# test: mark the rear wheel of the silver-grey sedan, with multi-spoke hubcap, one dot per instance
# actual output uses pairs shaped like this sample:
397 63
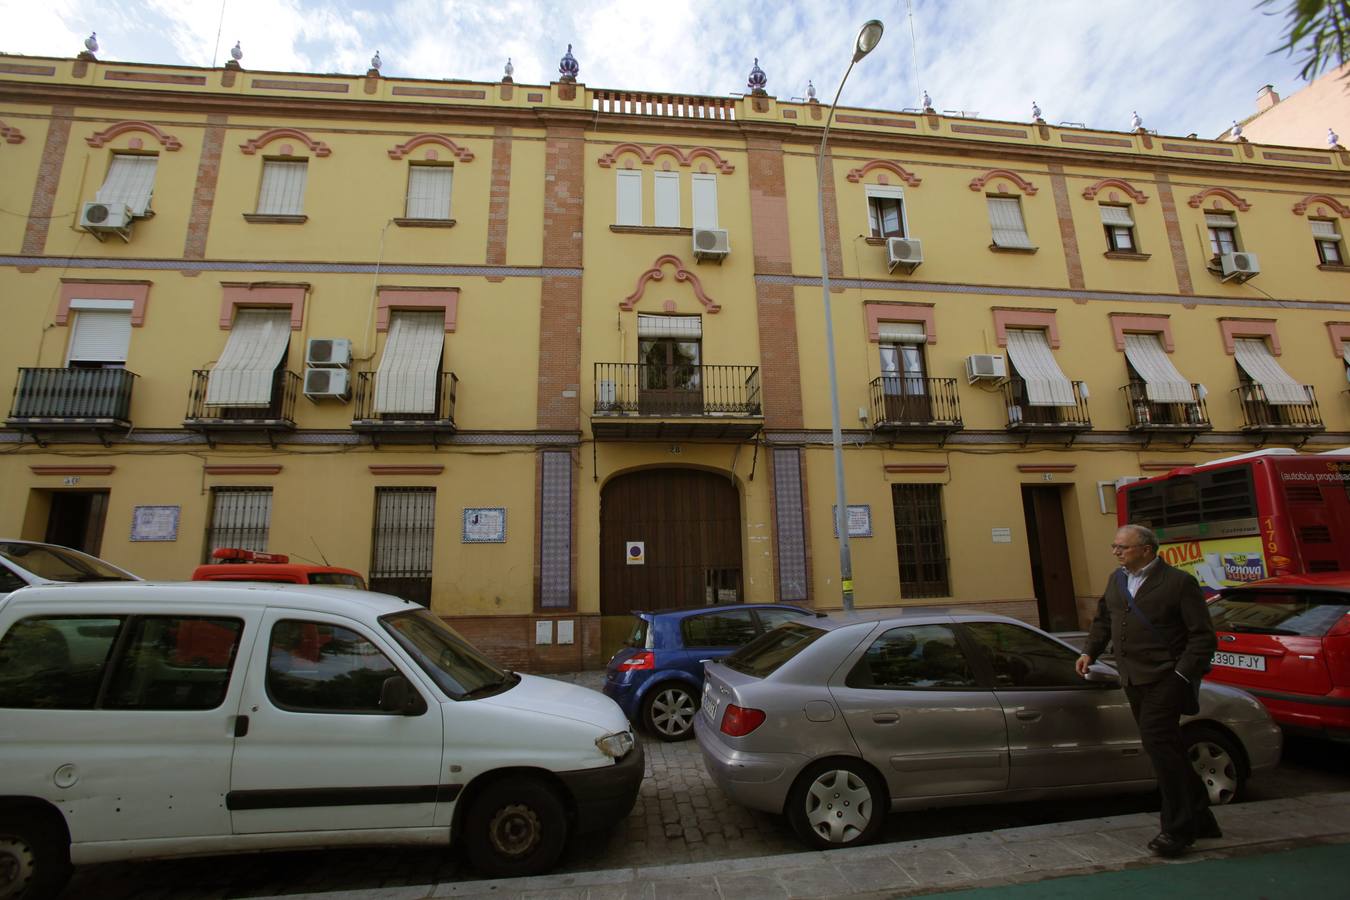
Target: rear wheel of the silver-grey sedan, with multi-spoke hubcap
838 805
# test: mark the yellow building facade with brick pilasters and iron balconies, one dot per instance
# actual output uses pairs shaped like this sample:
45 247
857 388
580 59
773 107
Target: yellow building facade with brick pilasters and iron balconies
541 356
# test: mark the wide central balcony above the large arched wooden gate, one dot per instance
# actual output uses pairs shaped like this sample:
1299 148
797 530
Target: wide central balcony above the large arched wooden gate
641 401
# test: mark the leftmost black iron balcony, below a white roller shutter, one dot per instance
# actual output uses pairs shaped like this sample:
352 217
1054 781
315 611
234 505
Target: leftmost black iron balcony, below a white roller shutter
72 400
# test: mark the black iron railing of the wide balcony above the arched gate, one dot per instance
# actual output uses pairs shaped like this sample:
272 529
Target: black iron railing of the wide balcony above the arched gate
642 389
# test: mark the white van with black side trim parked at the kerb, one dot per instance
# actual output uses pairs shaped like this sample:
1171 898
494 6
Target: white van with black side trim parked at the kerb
145 720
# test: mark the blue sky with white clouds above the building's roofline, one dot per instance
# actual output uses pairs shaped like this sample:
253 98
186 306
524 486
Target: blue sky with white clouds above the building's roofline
1183 65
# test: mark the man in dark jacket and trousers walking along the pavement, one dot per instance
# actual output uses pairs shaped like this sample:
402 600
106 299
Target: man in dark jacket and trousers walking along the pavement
1156 619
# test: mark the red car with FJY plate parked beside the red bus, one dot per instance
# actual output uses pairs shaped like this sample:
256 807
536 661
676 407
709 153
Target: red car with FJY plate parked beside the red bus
1287 642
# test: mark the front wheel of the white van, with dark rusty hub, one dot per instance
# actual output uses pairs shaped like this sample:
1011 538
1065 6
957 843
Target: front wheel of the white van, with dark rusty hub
516 828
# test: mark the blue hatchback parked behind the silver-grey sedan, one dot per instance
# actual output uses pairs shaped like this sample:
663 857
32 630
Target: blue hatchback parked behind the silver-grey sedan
658 677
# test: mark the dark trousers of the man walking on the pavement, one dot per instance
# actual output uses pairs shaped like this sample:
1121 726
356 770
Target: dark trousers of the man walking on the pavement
1158 710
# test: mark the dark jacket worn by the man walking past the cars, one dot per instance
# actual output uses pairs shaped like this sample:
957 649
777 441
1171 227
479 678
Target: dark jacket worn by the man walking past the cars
1182 639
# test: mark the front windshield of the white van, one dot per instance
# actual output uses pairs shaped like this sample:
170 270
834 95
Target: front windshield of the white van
456 665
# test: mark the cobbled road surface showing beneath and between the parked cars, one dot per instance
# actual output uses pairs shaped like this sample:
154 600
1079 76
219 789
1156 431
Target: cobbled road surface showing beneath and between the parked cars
680 818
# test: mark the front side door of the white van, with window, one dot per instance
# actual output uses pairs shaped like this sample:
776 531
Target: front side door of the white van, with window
318 754
